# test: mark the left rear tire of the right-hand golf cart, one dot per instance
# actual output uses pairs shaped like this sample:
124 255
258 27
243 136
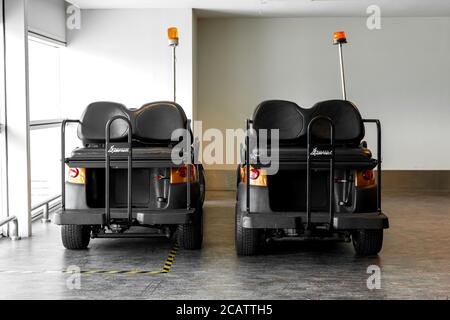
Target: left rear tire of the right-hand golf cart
246 239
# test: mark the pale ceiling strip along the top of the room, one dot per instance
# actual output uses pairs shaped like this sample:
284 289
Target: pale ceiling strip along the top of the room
283 8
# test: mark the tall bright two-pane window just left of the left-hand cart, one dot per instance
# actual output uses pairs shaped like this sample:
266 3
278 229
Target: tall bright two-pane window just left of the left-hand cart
45 107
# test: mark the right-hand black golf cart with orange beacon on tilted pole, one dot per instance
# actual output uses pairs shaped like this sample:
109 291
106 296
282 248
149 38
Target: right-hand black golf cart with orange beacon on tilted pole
325 187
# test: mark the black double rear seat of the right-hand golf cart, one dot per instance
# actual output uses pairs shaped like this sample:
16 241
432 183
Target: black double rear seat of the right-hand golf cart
292 122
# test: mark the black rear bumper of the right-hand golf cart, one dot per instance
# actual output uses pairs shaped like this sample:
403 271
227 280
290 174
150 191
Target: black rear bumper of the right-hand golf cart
296 220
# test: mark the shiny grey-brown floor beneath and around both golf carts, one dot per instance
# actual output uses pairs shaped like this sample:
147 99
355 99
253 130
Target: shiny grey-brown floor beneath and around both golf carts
414 262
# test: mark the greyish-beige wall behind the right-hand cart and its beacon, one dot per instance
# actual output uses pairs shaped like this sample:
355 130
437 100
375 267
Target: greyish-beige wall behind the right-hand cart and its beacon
399 74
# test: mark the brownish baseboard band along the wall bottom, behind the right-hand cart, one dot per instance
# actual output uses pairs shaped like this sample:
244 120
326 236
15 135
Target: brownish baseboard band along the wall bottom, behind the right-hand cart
401 180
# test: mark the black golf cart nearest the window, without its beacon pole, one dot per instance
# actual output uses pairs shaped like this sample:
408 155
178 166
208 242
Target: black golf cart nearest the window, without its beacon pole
125 176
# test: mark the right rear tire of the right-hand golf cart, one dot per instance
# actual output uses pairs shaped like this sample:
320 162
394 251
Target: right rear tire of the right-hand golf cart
367 242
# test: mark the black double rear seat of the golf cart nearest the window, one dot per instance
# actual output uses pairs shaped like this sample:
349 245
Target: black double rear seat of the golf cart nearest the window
152 128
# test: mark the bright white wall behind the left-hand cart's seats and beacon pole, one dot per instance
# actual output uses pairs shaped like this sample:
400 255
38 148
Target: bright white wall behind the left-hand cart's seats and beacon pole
122 55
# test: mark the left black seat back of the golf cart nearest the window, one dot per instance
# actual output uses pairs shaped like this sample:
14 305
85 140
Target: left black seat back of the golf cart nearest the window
94 119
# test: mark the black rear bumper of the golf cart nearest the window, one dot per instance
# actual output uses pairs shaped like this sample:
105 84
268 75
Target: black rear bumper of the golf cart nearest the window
140 217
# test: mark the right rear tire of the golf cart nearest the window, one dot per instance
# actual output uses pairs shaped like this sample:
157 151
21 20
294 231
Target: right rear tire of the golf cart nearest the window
190 236
